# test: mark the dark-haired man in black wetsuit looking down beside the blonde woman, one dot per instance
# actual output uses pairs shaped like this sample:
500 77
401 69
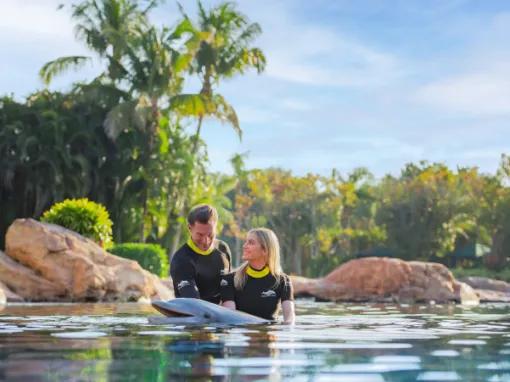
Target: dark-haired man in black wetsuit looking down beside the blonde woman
197 266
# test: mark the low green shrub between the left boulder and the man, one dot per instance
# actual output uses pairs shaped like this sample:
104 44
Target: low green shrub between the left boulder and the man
151 257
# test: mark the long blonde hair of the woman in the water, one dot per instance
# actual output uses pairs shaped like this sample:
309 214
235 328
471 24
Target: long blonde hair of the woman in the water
269 242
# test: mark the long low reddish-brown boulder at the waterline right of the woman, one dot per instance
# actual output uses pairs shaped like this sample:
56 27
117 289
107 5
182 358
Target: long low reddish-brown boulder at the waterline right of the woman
387 280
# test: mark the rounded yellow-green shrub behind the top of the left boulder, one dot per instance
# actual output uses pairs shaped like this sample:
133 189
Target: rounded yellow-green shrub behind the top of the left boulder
88 218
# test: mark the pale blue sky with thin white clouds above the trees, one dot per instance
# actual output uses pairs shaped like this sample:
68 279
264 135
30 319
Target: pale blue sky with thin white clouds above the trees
366 83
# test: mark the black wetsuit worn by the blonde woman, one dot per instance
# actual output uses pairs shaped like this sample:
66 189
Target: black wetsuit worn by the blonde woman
259 297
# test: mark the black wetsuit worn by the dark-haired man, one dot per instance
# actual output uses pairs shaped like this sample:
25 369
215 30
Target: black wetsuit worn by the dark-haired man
198 276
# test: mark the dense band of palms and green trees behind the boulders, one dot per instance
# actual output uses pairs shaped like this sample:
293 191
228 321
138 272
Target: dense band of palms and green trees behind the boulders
123 140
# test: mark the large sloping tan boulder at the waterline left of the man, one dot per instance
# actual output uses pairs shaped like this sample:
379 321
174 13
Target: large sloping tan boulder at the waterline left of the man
46 262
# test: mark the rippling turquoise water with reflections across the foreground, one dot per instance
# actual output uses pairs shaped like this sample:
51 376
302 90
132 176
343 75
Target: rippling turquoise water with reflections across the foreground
330 342
